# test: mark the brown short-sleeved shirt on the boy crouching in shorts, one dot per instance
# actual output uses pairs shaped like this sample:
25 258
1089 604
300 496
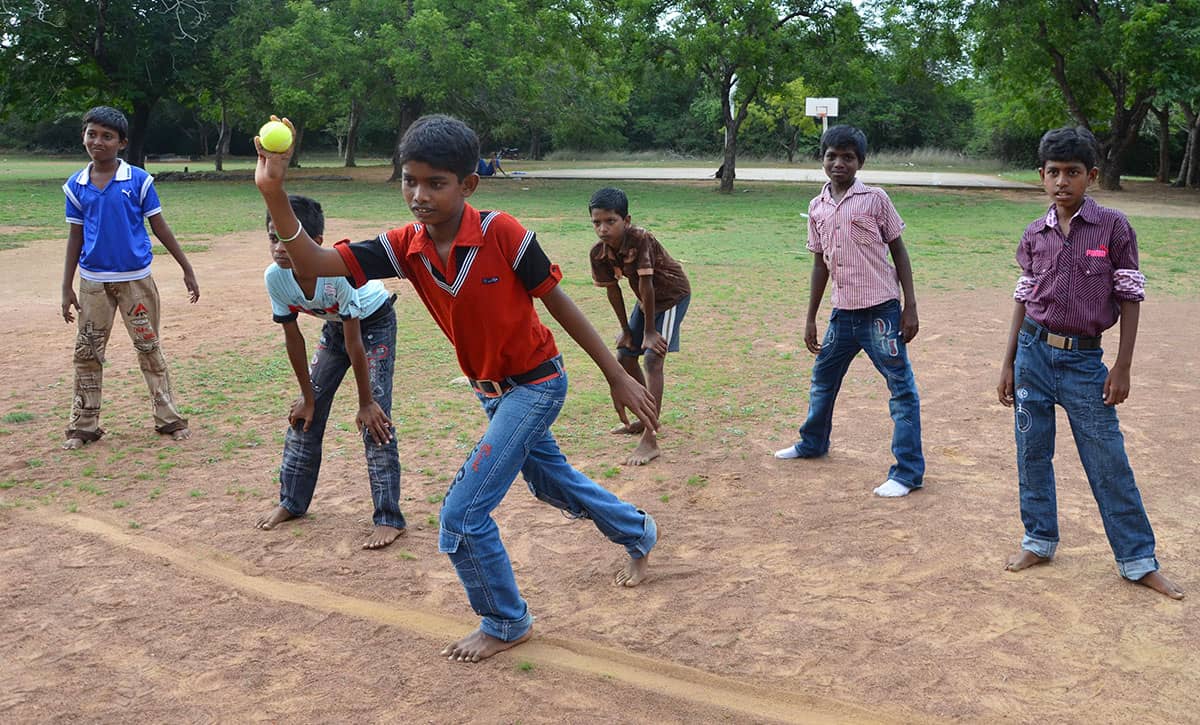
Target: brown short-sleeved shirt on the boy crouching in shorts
641 255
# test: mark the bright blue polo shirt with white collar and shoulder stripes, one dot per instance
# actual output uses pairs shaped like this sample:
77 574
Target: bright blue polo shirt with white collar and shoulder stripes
116 242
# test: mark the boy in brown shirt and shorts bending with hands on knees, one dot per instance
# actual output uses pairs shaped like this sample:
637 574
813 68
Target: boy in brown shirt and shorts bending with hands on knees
663 295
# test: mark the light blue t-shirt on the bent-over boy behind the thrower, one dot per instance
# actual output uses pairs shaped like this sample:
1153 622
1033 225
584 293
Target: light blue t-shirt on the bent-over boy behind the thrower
334 298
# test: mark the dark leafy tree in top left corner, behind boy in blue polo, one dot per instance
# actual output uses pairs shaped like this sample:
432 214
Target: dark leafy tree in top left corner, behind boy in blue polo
129 53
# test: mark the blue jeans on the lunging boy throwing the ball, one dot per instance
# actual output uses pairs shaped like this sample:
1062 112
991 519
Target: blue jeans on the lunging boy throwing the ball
519 441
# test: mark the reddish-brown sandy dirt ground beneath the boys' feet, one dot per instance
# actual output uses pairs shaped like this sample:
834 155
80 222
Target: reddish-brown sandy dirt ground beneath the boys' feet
781 591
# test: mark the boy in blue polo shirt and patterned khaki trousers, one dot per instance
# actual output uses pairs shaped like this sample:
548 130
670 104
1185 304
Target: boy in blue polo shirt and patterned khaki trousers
107 207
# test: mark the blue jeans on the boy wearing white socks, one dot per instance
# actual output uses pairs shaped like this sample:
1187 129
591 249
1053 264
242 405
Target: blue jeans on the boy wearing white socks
875 331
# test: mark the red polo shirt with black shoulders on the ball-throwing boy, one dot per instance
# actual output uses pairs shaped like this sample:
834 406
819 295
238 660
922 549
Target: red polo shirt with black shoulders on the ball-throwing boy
484 301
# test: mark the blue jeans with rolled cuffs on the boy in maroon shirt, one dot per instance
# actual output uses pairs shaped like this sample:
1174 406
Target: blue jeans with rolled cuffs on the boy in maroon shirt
1075 380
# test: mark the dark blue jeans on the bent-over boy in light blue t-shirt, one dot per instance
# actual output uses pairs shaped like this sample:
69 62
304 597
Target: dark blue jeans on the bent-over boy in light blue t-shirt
302 451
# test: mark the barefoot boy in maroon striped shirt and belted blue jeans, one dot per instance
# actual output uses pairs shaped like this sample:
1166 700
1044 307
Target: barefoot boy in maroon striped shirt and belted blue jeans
1079 275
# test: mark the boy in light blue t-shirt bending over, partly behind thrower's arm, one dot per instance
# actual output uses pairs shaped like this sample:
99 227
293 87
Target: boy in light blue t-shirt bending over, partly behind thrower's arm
359 333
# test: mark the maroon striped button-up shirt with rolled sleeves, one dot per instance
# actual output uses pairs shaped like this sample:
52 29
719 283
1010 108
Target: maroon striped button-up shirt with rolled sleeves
1075 285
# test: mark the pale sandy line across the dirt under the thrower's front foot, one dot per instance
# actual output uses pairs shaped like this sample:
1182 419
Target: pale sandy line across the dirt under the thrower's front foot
647 674
